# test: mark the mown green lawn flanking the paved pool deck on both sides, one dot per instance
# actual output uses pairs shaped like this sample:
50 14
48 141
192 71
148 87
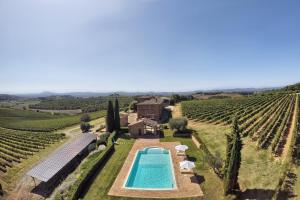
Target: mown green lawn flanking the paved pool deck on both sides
106 177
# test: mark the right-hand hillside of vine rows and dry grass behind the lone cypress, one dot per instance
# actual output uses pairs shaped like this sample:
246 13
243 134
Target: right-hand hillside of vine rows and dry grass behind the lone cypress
270 138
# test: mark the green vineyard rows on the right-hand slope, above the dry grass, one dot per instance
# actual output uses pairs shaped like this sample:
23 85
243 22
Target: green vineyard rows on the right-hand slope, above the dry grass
265 119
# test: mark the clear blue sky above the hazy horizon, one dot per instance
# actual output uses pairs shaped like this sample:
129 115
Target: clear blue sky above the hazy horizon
147 45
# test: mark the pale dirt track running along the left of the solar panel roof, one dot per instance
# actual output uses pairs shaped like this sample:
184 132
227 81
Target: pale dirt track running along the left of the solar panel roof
25 184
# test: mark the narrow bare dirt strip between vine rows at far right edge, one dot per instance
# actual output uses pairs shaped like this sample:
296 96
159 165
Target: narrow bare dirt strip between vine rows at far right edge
287 145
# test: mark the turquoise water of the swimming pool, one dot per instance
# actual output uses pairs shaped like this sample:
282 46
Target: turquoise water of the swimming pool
152 169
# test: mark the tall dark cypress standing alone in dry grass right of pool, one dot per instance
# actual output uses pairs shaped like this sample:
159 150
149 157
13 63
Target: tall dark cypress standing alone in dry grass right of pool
233 159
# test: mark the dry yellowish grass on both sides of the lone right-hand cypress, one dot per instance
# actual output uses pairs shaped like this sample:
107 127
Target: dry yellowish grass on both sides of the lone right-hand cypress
259 172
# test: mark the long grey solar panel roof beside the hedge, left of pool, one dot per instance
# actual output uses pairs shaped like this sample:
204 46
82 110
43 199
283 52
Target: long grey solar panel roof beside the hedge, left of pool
55 162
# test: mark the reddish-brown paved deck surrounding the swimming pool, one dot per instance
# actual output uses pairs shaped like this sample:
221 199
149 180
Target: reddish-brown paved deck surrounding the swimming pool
187 184
